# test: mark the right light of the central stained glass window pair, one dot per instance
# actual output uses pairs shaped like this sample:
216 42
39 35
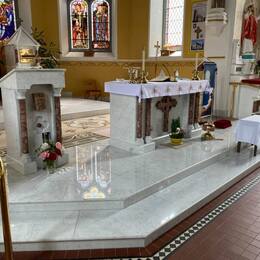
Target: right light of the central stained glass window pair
100 12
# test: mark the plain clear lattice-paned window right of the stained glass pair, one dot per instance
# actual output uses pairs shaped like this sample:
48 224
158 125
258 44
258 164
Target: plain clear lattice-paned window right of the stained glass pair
173 22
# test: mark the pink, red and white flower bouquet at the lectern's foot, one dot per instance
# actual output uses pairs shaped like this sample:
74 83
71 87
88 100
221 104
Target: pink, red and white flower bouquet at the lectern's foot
49 153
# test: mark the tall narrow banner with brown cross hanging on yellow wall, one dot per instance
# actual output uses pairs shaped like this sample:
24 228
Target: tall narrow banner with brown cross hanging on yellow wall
199 12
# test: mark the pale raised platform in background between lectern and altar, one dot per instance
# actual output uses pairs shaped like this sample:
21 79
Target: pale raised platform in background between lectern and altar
74 108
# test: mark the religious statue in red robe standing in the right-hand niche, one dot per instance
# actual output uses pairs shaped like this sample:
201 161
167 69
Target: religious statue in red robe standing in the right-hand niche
249 33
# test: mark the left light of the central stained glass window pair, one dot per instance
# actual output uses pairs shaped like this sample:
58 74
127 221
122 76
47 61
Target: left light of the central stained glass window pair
79 24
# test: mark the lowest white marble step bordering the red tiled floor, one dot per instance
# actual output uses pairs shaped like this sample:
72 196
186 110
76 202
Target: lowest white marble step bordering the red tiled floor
137 225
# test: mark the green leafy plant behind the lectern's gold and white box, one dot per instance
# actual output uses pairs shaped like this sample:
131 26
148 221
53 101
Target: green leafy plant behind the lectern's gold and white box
48 52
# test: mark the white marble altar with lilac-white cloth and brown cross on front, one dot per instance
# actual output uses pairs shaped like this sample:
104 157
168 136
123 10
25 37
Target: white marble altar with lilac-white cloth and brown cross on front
142 113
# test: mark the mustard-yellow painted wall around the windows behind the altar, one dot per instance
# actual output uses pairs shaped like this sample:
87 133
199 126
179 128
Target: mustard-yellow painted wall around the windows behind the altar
132 34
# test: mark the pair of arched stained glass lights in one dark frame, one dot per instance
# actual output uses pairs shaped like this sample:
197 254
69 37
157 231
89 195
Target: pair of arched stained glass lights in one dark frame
89 25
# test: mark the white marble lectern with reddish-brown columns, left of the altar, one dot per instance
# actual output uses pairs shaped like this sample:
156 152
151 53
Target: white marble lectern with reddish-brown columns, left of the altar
31 105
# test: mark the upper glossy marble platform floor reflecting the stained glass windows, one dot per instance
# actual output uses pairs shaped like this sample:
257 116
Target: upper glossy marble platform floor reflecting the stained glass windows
103 177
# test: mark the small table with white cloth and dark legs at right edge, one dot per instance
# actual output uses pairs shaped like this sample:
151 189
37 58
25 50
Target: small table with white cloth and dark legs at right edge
248 131
